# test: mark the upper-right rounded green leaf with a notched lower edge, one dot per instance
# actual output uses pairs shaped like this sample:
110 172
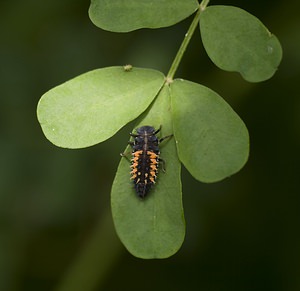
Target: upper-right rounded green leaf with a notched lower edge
237 41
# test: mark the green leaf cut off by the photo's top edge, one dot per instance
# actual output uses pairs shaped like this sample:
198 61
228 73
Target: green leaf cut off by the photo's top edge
128 15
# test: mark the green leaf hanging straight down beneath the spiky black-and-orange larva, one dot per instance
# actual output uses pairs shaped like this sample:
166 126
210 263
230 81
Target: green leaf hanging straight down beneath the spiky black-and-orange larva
153 227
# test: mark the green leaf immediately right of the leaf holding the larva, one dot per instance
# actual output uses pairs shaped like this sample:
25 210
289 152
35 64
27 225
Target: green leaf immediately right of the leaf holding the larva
212 140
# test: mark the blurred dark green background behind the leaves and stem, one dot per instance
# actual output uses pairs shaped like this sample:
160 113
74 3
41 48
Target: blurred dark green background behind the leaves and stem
242 233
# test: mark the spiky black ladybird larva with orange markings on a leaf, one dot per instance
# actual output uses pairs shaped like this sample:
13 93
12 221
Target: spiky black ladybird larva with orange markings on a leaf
145 158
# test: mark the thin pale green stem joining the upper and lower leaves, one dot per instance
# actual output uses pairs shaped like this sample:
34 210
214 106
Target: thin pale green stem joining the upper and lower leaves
186 41
